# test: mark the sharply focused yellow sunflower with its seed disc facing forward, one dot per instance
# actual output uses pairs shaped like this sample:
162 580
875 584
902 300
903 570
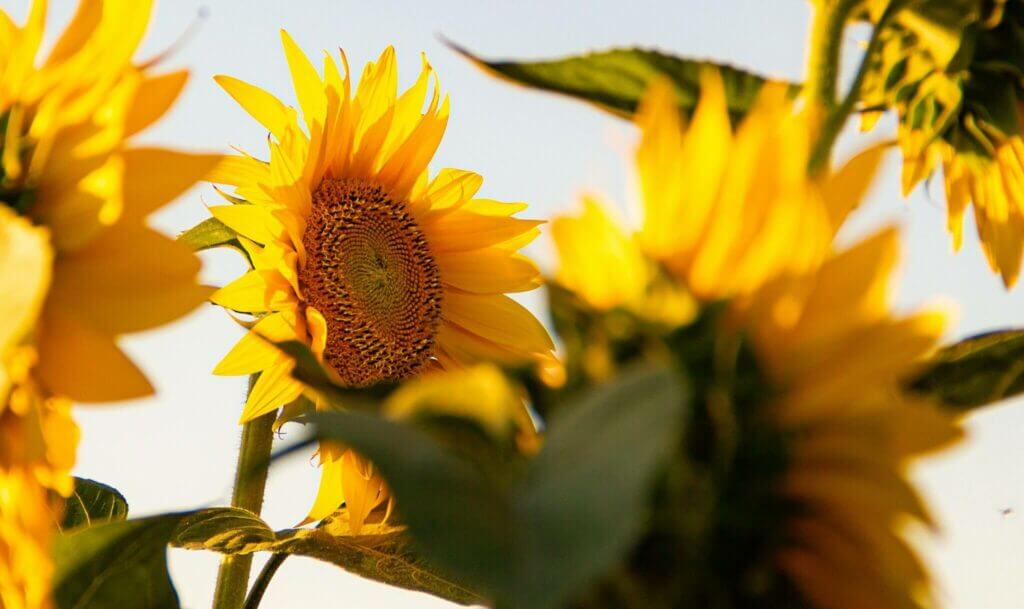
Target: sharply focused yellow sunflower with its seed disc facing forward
356 251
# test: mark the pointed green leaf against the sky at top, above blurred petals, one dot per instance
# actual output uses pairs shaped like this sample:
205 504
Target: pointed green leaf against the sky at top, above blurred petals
616 80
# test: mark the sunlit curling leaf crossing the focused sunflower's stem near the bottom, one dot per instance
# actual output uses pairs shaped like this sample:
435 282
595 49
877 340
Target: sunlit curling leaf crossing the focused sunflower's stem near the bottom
381 552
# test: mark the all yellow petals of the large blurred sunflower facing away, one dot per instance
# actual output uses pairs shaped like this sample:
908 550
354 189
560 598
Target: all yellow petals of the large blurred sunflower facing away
733 214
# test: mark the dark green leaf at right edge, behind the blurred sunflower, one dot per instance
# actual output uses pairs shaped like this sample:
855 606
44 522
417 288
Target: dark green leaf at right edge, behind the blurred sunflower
975 372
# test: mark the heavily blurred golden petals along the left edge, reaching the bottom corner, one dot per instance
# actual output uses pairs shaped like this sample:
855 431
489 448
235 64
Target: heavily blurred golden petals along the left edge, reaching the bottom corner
37 437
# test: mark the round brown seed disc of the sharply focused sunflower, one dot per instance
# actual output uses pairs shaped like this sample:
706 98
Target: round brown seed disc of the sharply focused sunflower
370 273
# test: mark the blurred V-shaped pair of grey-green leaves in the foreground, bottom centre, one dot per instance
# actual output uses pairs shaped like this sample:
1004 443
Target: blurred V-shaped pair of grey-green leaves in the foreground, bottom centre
576 511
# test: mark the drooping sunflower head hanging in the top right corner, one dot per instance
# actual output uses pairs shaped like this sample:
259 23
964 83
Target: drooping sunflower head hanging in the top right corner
963 116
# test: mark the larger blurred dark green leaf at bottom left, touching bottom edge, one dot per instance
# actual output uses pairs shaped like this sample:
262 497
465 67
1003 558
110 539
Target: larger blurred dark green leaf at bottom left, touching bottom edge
118 565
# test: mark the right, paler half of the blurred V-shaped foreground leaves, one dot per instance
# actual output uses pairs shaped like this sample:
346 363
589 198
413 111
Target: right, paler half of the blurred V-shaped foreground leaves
584 499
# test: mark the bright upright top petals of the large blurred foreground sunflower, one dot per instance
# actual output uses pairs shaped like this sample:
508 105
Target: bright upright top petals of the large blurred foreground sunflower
724 209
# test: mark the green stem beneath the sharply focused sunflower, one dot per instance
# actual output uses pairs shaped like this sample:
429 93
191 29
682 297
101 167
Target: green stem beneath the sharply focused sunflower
250 483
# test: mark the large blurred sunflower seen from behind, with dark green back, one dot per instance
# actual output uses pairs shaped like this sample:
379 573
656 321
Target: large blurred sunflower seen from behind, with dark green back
803 459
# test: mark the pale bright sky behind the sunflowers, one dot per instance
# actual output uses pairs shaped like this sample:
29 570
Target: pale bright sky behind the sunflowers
178 451
